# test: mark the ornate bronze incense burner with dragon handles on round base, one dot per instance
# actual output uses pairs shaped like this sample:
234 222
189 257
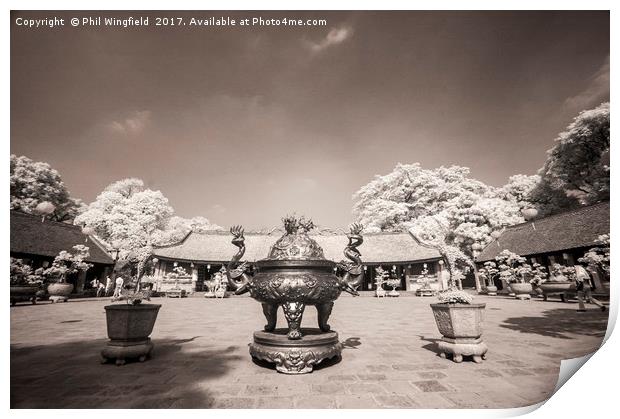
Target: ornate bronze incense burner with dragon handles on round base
296 274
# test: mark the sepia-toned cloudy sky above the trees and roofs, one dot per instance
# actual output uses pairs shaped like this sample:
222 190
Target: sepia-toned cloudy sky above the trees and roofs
244 125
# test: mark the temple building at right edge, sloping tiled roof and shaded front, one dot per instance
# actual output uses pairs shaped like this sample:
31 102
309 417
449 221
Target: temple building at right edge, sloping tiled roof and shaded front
561 238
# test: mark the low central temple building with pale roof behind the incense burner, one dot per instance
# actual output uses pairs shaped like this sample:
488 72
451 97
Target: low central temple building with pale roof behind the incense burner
203 254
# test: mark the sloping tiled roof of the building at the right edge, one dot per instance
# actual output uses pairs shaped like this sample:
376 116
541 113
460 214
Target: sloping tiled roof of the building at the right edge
568 230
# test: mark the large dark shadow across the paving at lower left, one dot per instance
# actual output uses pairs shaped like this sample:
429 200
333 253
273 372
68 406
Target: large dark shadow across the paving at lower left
70 375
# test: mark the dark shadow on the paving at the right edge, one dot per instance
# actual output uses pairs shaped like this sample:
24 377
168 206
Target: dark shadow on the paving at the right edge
561 323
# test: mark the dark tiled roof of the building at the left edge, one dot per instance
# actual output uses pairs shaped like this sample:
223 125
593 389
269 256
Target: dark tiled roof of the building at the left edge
31 236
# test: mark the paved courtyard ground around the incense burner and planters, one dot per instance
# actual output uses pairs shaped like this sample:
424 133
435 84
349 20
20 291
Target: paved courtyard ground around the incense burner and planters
201 357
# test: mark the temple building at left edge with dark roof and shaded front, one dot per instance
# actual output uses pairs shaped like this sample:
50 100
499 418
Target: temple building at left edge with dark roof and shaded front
37 242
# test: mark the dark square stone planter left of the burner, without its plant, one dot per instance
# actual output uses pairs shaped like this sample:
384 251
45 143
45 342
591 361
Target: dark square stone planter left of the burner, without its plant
129 328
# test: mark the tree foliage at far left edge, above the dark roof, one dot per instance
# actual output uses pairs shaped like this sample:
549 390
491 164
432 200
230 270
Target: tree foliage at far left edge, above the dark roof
33 183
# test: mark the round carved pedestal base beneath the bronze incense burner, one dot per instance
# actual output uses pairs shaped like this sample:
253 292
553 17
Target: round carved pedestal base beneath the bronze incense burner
297 356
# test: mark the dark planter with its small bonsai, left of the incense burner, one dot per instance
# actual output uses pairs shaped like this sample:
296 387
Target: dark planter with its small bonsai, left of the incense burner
129 324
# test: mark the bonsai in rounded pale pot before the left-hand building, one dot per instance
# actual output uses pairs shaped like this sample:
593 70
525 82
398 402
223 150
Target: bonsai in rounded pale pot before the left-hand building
64 264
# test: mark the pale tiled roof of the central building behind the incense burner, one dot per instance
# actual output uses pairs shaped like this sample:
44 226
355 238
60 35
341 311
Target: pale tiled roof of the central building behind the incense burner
377 248
